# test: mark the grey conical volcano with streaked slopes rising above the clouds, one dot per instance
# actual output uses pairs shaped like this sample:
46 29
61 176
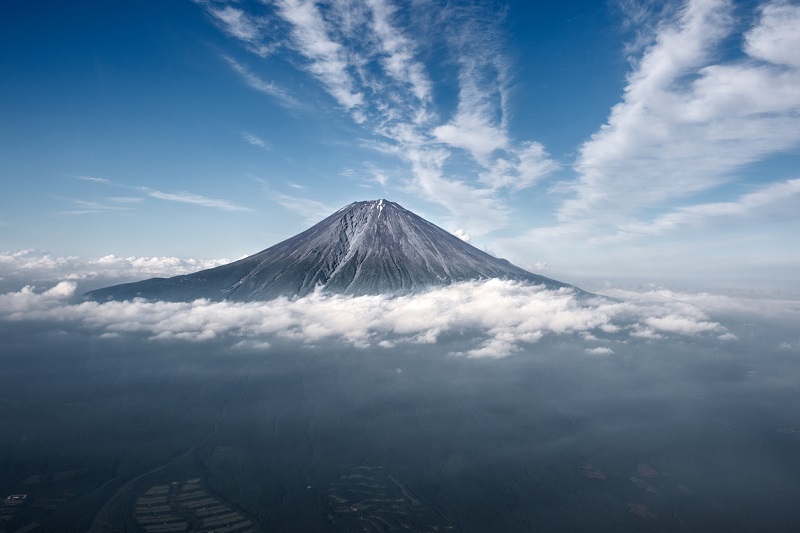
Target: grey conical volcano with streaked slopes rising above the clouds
373 247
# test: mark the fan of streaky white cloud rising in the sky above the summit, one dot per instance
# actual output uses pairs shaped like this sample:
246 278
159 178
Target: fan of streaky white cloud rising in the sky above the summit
366 56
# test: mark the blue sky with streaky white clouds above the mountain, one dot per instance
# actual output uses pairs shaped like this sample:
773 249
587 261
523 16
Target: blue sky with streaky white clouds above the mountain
655 141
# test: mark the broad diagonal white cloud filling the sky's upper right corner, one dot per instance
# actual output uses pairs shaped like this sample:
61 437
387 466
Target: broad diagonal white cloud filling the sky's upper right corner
690 119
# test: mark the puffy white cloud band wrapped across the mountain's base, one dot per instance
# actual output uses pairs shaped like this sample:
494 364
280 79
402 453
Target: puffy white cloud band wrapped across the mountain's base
494 318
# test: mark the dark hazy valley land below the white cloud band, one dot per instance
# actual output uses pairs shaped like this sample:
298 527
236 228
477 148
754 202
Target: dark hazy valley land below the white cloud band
118 434
